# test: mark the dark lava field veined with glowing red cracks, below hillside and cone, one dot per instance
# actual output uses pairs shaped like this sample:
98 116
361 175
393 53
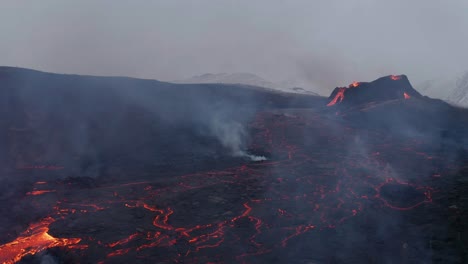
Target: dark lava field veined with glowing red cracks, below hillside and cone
328 193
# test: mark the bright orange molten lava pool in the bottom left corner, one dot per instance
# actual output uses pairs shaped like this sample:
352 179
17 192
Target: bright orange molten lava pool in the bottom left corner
33 240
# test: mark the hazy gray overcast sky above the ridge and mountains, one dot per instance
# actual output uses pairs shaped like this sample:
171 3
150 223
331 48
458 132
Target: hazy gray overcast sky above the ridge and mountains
325 43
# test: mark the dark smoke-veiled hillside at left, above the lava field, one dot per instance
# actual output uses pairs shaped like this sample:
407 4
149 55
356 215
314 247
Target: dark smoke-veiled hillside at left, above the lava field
89 124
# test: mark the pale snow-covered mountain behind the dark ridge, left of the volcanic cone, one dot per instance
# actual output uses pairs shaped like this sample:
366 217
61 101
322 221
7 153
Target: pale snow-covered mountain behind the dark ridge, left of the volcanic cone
248 79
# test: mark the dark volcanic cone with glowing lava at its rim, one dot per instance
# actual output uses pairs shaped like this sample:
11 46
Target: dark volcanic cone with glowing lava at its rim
386 88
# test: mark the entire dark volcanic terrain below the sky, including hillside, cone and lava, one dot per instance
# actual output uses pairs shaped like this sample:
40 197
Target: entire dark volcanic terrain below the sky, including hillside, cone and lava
119 170
